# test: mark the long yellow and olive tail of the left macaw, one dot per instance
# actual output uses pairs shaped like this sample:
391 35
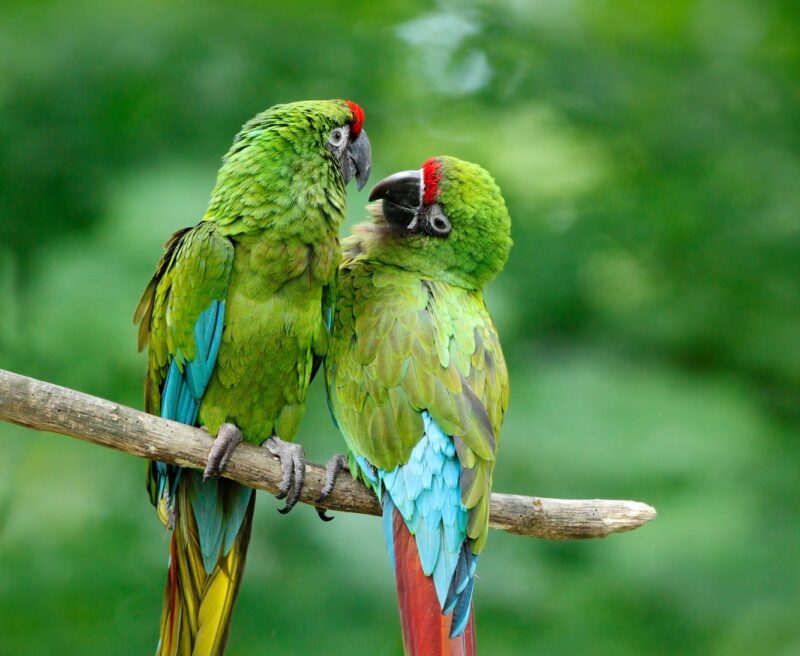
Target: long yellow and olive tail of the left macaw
200 592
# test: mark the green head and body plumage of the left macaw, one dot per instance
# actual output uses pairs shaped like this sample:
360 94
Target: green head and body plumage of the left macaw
267 246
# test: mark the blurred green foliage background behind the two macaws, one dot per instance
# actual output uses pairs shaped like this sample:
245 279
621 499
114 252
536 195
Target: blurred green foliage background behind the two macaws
650 156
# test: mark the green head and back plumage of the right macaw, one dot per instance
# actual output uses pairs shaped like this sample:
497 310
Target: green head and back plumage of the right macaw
411 333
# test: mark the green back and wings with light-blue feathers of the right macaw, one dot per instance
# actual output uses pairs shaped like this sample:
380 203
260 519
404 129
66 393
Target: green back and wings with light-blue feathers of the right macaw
419 387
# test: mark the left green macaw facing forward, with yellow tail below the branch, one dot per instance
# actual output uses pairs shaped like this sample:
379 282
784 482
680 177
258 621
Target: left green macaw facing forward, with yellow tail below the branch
234 321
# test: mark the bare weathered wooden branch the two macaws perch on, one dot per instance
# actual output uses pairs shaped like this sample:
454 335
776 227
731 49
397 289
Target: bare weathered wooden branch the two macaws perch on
42 406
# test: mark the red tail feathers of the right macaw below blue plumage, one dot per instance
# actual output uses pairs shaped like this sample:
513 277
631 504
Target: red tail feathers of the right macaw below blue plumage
425 630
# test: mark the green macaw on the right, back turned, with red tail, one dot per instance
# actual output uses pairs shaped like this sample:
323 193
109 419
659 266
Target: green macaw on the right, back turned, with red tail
418 385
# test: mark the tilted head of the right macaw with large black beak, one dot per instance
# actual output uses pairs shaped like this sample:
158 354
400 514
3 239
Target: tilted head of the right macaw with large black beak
447 220
